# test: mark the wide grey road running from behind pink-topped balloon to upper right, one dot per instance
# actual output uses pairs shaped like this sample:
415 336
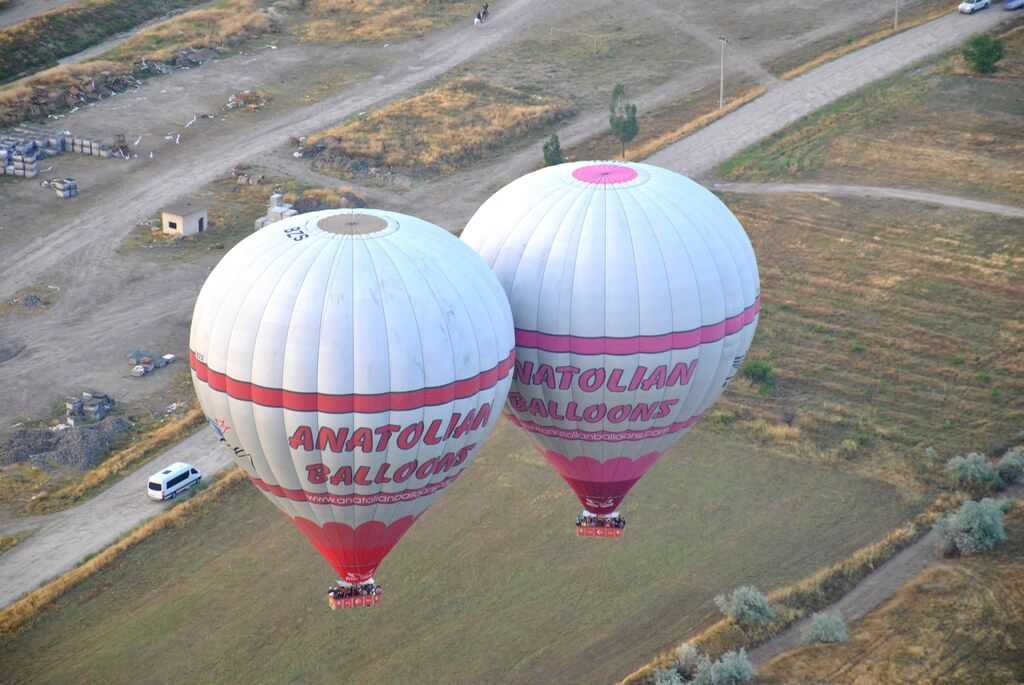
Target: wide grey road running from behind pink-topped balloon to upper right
698 155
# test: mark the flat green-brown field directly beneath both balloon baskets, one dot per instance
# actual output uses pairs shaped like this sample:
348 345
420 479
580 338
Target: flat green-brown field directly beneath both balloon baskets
492 586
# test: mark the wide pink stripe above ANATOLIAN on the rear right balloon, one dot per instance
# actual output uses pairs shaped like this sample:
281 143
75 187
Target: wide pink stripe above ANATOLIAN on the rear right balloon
638 345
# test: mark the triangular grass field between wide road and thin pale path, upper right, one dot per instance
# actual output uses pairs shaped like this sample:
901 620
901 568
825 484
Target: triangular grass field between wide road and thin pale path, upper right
938 127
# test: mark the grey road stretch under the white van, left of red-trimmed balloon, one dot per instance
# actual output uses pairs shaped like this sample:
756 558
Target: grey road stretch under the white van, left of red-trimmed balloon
64 539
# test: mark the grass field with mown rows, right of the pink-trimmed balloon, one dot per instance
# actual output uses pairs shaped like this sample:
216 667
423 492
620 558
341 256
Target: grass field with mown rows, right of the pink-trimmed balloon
893 327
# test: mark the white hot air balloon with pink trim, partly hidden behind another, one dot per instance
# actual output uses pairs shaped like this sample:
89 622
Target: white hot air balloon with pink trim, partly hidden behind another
635 297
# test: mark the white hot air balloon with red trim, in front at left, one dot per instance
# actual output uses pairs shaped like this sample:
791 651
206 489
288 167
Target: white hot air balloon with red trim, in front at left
354 362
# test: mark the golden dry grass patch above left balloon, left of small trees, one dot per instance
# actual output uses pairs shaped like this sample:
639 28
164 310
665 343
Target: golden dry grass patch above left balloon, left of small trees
439 132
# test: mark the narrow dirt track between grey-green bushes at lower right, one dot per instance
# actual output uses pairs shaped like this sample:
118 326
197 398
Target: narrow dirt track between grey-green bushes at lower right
873 591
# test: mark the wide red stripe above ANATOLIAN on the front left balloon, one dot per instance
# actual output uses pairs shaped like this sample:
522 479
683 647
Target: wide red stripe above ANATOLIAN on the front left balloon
365 404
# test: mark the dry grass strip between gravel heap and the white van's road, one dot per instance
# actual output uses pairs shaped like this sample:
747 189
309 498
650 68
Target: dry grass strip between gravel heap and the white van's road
146 448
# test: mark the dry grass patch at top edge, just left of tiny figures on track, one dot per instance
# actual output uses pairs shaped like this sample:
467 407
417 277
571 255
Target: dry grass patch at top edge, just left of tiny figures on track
334 21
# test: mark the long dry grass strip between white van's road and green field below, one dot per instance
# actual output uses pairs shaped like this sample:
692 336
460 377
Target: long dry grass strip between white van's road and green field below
26 610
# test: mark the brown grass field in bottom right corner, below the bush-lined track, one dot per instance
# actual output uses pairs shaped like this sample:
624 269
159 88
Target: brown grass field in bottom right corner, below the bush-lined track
959 622
